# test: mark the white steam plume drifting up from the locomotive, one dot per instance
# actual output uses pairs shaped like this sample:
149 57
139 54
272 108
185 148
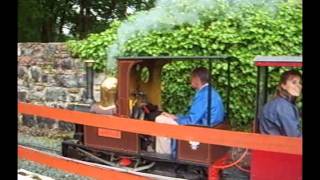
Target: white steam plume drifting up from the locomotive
170 13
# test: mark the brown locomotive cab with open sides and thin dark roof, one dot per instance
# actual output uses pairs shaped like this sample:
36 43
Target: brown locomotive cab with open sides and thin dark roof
139 97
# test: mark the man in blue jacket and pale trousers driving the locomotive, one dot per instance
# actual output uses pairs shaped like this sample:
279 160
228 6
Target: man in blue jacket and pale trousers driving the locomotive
198 112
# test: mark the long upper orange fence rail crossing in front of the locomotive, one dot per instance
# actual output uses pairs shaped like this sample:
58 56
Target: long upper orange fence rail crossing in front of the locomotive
281 144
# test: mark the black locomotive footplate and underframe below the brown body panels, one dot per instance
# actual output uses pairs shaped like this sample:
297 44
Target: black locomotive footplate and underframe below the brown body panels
164 165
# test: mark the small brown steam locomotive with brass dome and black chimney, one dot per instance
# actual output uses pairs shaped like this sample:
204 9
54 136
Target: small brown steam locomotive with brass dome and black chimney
137 95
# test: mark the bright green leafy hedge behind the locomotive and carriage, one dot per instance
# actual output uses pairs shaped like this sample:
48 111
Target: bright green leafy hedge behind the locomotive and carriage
244 34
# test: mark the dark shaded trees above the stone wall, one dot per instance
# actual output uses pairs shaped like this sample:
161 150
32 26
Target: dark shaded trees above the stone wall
44 20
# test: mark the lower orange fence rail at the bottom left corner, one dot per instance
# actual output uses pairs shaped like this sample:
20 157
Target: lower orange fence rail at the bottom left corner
74 166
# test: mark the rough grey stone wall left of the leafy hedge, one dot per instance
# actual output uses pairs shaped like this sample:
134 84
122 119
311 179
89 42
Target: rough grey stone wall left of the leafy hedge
48 75
